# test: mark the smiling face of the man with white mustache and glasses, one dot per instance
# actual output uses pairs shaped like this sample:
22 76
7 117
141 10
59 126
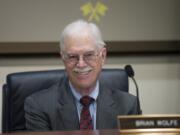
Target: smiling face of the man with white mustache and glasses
83 61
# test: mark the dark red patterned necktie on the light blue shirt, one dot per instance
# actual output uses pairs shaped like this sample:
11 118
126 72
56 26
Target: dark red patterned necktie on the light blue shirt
85 119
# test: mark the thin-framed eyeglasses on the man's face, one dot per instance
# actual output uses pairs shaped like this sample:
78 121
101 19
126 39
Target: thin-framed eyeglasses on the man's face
88 57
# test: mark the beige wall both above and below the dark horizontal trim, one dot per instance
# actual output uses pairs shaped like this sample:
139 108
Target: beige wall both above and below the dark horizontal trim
42 20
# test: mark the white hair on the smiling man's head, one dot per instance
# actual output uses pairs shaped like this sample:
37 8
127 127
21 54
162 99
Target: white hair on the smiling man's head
77 28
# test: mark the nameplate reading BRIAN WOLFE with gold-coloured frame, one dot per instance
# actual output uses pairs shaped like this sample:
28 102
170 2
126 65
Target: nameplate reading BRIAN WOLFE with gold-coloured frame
149 122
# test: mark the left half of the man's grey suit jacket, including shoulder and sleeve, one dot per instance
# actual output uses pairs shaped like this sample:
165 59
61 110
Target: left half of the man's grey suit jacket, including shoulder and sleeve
51 109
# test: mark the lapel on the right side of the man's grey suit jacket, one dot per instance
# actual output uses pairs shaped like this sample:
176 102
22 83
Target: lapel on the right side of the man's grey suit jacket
106 109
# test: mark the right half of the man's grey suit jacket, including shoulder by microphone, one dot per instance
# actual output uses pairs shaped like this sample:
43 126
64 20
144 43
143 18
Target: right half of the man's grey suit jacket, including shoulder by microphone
110 104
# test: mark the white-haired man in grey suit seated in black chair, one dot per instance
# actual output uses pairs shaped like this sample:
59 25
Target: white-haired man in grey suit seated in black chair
81 101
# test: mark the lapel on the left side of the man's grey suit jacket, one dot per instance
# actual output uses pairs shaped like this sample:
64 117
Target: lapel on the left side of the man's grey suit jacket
67 108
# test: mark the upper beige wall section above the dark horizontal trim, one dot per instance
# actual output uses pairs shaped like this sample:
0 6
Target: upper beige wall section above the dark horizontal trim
42 20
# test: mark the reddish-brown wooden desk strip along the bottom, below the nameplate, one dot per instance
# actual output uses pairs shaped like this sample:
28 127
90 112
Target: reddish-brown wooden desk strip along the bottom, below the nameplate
95 132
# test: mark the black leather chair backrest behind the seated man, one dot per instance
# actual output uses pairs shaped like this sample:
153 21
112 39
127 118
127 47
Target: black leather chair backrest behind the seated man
20 85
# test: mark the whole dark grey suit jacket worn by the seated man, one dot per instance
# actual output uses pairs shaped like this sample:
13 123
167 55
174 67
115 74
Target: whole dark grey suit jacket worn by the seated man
55 109
